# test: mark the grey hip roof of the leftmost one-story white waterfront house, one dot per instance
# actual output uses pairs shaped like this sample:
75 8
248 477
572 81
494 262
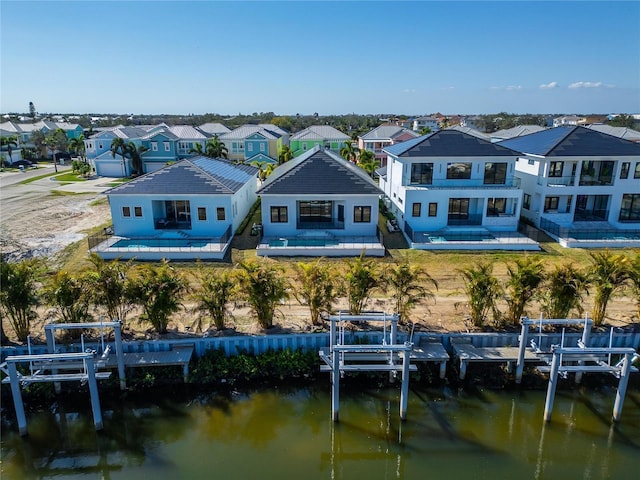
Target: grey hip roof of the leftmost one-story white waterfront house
192 176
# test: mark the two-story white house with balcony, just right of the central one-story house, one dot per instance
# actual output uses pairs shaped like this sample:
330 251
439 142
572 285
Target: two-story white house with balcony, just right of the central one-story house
451 190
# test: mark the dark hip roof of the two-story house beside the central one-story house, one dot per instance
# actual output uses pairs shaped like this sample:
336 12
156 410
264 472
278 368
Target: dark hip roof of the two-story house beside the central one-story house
448 143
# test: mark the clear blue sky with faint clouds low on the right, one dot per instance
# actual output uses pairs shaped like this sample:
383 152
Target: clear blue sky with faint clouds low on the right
329 57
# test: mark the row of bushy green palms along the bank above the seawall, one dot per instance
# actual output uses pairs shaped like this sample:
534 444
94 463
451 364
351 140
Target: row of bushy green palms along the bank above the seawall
158 291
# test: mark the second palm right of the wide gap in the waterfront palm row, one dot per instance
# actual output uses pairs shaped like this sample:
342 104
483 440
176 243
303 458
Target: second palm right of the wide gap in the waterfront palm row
523 281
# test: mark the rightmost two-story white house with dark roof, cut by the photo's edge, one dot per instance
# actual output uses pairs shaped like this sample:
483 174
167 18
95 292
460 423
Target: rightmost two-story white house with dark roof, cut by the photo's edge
580 185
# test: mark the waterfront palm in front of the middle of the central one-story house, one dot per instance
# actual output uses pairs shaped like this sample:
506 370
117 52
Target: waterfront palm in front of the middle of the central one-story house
318 288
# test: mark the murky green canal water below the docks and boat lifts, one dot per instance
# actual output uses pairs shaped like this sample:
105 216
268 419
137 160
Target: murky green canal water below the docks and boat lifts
287 434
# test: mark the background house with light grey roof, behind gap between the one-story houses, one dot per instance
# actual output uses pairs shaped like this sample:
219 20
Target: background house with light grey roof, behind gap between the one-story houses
255 142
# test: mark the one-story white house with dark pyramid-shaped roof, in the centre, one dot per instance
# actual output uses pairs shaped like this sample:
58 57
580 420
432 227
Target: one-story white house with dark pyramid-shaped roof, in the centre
319 204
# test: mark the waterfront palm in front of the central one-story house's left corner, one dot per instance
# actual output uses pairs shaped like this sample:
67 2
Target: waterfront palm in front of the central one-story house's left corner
263 286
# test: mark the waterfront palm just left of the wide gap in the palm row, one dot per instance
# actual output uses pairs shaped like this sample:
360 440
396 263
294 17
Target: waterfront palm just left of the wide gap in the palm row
407 287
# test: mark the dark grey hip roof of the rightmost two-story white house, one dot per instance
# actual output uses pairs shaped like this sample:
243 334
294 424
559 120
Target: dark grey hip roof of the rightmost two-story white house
571 141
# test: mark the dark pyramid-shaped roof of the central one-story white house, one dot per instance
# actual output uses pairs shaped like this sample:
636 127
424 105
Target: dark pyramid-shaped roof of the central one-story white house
319 172
